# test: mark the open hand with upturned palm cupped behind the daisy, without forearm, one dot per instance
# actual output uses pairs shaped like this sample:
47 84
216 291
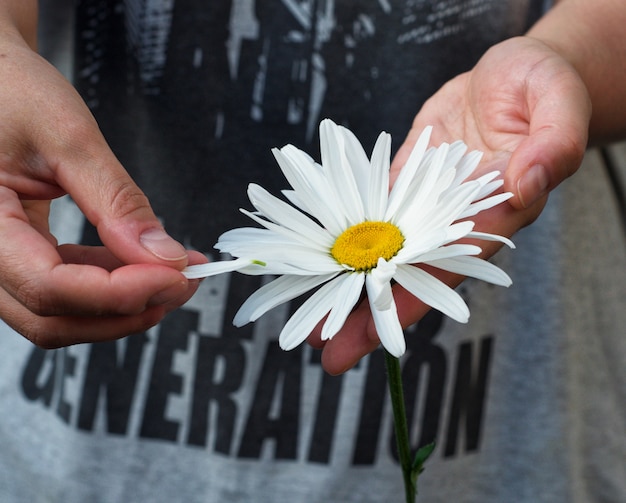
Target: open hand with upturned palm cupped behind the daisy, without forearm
528 110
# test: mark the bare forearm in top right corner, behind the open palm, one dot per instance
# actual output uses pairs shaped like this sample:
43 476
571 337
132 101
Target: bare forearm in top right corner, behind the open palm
591 36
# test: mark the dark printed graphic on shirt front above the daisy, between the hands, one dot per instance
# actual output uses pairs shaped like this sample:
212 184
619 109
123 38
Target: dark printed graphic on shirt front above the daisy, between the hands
205 90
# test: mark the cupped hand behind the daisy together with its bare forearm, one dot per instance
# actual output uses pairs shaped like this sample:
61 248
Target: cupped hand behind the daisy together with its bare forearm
527 103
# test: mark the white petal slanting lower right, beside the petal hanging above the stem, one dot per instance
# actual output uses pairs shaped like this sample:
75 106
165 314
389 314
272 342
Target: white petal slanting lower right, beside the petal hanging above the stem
432 291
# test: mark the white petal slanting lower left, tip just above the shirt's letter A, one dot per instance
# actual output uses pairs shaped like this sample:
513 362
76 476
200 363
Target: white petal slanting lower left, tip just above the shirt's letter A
308 315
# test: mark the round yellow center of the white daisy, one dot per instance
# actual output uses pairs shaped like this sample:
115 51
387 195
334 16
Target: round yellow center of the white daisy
361 245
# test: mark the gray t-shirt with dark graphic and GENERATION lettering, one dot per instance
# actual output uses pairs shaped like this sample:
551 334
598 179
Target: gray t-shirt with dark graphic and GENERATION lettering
526 402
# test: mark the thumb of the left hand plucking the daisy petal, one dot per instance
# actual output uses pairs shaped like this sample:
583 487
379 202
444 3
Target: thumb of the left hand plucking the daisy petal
79 160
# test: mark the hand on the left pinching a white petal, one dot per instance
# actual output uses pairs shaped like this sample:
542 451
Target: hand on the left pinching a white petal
50 145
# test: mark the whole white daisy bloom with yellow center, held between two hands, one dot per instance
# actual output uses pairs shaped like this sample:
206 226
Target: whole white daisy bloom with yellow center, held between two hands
343 230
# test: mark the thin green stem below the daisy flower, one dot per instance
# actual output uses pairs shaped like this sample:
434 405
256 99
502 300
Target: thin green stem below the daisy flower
394 378
